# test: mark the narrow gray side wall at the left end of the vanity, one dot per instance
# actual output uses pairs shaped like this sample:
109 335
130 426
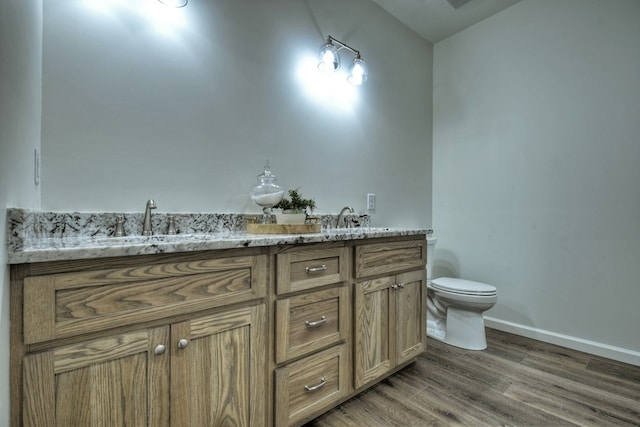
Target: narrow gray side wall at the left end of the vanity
20 106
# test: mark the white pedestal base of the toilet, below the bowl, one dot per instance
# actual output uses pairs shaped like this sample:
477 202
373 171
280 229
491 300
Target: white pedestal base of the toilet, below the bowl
464 329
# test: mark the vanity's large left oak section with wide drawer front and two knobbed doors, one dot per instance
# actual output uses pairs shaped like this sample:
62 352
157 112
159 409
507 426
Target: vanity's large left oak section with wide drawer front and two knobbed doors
154 340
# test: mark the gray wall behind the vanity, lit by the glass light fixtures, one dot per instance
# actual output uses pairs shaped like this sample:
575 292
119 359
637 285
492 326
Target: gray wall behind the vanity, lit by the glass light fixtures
185 107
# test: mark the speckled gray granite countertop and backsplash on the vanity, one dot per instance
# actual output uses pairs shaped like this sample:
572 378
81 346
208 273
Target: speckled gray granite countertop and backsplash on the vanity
34 236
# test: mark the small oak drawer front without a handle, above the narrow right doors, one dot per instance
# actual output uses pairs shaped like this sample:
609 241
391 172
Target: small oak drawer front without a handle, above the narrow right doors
390 257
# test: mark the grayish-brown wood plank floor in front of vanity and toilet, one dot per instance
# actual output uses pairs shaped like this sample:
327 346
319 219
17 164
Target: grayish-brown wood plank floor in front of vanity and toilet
516 381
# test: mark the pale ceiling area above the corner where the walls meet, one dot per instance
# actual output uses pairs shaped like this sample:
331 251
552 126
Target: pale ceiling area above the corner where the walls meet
436 20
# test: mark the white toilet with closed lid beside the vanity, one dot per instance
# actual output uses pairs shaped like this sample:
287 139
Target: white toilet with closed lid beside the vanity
455 307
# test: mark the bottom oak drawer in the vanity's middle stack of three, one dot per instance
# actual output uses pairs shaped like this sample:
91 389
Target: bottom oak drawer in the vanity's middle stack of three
311 384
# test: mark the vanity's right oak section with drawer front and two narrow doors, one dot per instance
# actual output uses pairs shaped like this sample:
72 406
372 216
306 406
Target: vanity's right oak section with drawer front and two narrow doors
389 307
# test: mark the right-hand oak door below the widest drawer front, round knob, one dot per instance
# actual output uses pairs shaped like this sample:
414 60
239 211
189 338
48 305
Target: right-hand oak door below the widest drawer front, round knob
218 370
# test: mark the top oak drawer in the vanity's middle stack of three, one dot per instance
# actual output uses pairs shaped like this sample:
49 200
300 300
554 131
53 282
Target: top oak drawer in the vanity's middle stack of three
301 268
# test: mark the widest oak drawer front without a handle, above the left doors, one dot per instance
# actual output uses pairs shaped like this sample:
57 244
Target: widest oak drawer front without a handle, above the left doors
69 304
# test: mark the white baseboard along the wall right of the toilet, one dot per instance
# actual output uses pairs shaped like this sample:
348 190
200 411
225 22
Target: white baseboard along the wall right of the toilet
616 353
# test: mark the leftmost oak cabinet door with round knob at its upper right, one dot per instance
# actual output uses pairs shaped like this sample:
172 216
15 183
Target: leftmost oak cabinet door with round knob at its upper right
113 381
